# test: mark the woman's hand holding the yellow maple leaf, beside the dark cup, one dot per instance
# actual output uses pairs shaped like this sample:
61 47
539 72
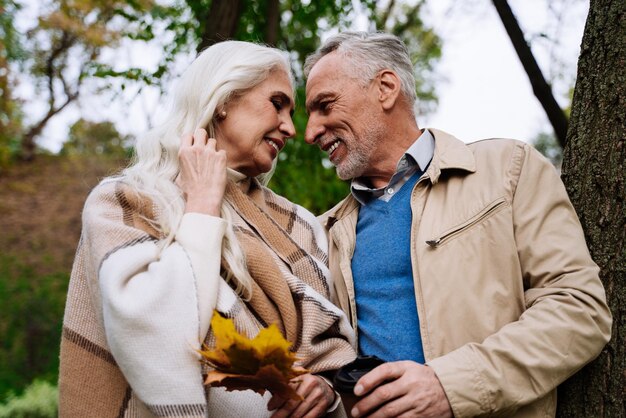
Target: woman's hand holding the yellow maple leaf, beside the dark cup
318 396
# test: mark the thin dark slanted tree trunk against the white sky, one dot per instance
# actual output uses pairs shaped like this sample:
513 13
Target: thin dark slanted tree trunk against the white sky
541 88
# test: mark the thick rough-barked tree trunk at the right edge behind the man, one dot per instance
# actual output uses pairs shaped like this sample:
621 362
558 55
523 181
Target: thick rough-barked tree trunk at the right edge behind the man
594 171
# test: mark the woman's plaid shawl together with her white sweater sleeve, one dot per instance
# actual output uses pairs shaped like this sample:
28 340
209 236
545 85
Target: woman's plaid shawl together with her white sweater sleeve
143 363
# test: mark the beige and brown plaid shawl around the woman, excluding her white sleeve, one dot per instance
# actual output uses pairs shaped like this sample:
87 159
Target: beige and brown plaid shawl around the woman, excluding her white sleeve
286 254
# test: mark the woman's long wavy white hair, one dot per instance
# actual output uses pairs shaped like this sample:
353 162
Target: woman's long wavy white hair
218 74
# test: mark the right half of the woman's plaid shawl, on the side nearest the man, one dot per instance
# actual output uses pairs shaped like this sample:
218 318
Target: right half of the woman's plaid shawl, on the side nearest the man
279 239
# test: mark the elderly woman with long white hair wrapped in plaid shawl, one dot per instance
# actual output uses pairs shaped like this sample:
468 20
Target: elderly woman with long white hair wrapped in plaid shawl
188 228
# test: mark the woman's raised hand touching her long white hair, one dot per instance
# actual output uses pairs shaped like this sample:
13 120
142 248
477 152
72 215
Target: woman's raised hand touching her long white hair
202 175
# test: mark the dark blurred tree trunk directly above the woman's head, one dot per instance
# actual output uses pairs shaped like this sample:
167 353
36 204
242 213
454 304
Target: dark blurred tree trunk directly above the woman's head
221 22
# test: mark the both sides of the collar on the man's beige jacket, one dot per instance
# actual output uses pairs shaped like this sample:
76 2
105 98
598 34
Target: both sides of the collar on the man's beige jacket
450 153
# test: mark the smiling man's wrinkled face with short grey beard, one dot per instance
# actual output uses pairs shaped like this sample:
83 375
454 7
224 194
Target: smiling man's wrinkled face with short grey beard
342 116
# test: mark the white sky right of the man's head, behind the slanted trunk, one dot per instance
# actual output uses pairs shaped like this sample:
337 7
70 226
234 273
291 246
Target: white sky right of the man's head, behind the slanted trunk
487 93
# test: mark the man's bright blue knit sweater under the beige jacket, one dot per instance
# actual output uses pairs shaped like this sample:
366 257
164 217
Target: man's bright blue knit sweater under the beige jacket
383 279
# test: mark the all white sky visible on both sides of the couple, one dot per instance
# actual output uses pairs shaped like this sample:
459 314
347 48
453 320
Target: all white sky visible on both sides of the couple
483 90
